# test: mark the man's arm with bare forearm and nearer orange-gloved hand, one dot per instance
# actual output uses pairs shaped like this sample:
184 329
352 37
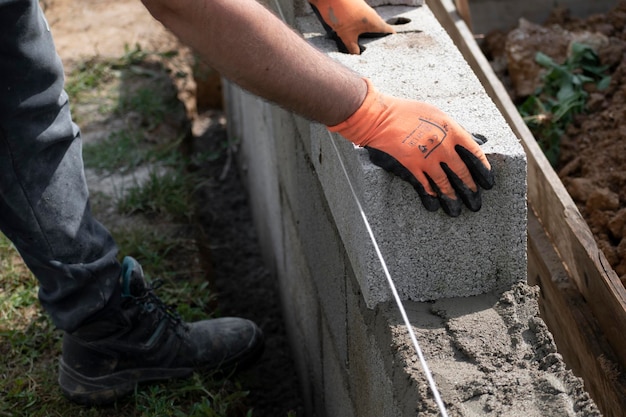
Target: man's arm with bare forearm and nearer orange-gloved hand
247 44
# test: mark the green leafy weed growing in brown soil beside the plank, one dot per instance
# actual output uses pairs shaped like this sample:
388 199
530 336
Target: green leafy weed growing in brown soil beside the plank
562 96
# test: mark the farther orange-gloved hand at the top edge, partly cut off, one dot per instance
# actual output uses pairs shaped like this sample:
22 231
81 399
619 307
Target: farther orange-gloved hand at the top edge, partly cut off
346 20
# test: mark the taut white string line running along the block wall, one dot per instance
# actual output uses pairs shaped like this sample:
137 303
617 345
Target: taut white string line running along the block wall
392 286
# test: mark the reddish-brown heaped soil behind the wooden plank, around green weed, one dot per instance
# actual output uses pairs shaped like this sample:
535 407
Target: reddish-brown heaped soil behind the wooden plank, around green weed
592 161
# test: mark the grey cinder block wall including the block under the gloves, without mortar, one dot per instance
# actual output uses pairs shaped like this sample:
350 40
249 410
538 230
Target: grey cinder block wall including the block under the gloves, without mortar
314 238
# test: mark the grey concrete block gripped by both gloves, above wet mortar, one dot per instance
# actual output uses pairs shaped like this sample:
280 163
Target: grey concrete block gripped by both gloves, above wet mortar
429 255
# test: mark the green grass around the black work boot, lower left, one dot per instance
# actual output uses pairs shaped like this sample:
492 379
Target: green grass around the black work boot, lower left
30 346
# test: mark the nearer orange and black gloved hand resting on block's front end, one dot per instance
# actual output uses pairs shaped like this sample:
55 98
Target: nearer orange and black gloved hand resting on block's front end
424 146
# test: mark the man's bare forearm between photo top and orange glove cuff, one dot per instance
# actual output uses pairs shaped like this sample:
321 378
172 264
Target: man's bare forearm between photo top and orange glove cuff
250 46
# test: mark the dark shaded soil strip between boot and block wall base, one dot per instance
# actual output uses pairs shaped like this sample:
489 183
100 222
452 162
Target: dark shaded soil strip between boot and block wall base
245 287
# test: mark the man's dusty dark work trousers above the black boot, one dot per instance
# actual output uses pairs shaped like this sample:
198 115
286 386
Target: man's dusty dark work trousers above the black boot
44 202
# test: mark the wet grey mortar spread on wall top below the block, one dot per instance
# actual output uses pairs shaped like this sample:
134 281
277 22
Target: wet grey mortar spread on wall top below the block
490 355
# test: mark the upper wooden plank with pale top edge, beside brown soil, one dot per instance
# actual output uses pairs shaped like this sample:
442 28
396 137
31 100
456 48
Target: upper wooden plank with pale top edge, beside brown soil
585 262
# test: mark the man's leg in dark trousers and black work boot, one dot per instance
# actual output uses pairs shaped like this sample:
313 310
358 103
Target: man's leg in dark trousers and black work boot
118 332
